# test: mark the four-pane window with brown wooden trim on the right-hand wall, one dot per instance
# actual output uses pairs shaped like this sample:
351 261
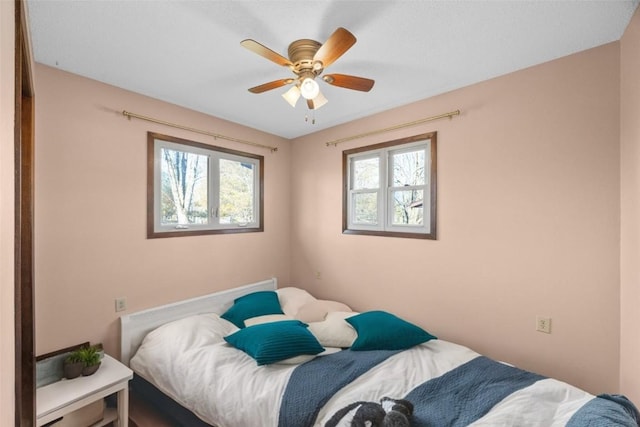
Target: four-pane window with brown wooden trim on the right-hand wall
390 188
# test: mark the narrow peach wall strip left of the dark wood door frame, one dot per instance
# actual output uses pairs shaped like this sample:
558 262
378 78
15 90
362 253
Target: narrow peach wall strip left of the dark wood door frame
7 73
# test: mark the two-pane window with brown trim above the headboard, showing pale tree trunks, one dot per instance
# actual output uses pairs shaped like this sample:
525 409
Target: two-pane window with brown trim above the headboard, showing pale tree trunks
197 188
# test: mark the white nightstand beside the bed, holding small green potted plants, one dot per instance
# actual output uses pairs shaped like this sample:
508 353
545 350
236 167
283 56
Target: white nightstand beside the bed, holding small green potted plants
57 399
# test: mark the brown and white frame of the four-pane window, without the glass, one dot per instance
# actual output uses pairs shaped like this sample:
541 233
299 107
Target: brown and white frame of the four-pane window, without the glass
383 151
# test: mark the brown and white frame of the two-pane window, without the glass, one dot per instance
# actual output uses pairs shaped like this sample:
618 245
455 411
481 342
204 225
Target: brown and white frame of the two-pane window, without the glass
155 141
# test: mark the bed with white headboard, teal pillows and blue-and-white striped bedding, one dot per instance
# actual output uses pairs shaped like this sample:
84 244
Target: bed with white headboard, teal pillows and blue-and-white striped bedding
258 355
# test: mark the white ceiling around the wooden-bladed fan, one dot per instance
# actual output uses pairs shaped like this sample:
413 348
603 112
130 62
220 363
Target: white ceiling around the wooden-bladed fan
188 52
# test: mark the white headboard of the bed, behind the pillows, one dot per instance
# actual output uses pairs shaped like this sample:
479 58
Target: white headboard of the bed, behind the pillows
135 326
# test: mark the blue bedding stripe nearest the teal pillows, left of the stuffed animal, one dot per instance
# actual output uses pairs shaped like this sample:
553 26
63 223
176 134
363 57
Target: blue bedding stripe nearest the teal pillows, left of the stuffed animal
328 374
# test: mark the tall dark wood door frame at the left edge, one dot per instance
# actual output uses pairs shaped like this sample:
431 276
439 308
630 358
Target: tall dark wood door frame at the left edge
25 408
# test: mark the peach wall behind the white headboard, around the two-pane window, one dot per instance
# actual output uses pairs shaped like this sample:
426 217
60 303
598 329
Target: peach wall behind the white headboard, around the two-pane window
91 244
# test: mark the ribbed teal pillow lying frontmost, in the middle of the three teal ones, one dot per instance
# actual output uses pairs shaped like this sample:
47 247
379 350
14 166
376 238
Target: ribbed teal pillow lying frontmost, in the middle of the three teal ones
276 341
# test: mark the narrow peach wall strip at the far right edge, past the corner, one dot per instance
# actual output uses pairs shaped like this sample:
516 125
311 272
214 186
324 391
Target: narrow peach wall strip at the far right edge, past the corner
630 209
